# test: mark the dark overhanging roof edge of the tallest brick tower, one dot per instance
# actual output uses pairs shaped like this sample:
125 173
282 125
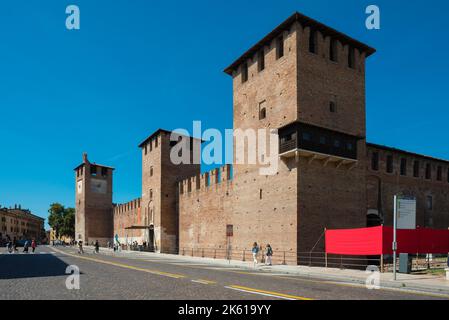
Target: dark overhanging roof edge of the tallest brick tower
305 21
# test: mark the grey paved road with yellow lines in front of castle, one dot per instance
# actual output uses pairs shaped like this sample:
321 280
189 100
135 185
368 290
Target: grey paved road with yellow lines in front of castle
43 276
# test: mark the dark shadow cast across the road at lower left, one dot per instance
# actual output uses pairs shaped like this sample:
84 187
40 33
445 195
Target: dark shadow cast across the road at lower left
15 266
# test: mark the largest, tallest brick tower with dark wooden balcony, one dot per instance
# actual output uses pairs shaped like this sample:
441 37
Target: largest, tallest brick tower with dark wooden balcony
308 81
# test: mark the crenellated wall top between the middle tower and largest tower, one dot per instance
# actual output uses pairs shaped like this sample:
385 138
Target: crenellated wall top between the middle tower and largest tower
205 180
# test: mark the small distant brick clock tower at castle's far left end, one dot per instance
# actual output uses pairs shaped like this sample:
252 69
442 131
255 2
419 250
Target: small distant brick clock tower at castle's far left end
93 220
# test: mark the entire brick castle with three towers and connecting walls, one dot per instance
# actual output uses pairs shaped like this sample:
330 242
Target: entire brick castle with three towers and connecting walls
308 81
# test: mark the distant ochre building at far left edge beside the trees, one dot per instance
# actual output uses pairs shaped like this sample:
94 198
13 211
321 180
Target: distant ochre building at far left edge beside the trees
17 223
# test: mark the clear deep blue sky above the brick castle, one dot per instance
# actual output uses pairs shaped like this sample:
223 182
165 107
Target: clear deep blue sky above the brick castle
139 65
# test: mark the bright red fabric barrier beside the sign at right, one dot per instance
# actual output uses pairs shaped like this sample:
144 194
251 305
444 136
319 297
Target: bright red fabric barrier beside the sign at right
378 240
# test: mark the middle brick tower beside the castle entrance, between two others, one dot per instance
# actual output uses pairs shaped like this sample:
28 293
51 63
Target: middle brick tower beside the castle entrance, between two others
160 177
